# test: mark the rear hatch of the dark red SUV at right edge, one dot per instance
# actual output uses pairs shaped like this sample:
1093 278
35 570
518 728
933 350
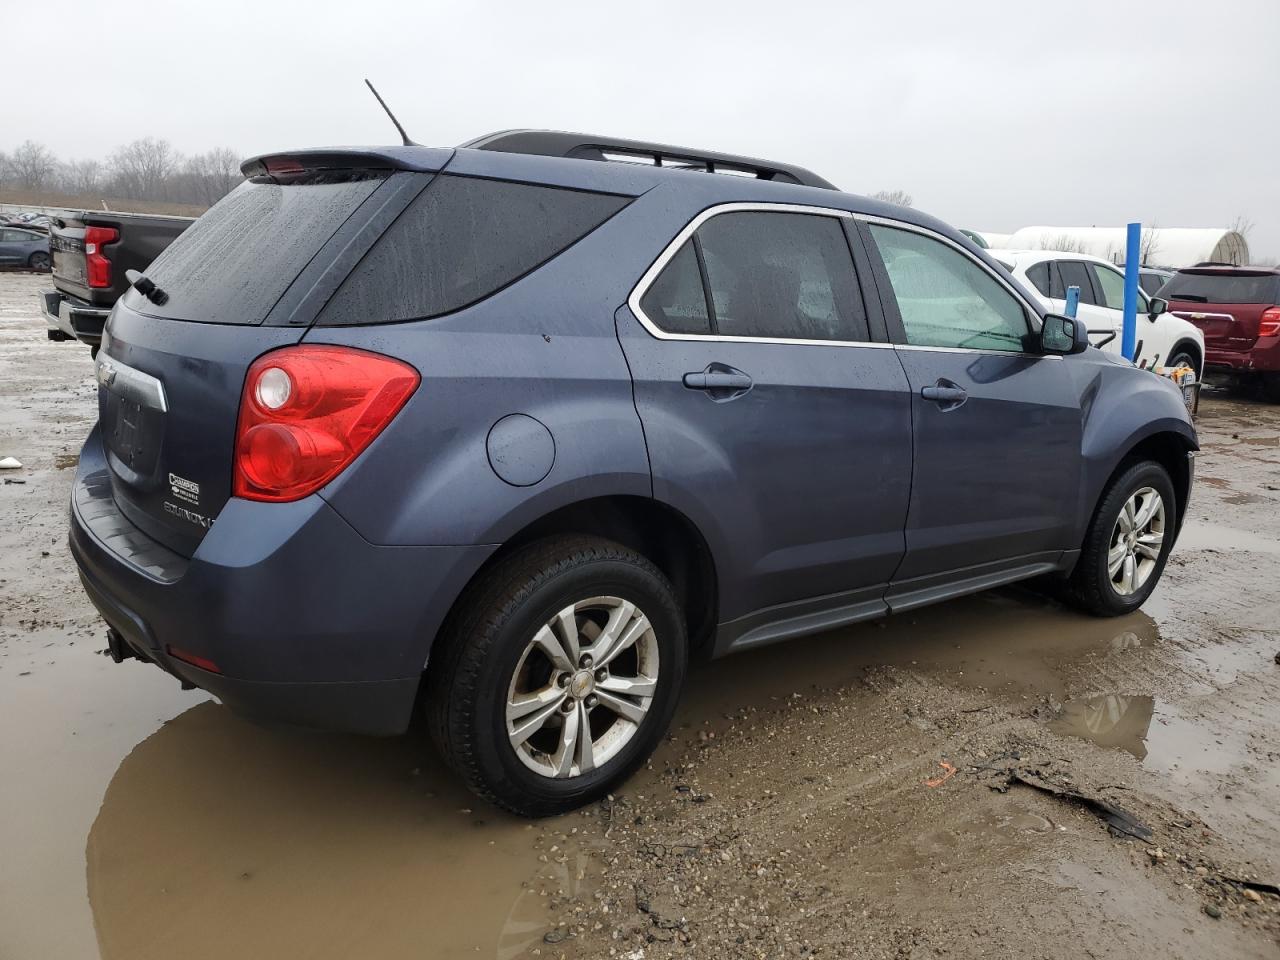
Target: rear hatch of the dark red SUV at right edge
1226 305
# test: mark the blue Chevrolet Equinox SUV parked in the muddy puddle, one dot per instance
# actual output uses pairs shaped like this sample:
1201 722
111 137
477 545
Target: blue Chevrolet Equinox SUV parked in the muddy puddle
506 435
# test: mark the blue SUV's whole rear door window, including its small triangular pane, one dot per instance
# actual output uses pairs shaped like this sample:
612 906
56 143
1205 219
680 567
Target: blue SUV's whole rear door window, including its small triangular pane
769 276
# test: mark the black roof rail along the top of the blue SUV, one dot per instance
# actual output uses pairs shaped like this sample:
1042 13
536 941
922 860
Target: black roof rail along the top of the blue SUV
586 147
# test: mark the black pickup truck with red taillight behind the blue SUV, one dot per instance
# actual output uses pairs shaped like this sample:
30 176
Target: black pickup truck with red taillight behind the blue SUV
92 253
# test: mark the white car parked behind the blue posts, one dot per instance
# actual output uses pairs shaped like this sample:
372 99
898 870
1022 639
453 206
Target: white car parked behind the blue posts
1163 339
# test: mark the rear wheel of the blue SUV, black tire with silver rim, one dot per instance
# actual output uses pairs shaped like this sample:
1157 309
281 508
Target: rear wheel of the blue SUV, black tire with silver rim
487 668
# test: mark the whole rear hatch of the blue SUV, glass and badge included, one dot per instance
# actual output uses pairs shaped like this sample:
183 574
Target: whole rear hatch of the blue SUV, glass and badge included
241 282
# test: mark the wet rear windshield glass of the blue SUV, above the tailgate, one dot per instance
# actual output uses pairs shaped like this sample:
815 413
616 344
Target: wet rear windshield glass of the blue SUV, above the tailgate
232 266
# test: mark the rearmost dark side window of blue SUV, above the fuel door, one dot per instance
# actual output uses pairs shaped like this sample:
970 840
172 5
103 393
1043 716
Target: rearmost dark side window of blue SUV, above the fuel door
459 243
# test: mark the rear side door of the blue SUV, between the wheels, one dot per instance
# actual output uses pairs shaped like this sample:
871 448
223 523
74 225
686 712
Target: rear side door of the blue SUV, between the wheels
799 482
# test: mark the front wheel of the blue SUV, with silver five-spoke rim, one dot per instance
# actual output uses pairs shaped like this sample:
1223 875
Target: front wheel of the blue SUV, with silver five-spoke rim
1094 587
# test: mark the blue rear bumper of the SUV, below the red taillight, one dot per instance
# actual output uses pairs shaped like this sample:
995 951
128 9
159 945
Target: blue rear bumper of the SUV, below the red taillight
308 623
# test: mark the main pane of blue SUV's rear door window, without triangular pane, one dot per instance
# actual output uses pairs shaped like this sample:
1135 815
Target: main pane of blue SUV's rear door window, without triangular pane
781 276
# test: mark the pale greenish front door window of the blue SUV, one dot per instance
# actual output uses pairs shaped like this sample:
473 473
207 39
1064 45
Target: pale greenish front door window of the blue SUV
945 299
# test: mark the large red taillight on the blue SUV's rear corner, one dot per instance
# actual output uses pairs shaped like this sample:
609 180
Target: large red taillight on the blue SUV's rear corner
308 413
